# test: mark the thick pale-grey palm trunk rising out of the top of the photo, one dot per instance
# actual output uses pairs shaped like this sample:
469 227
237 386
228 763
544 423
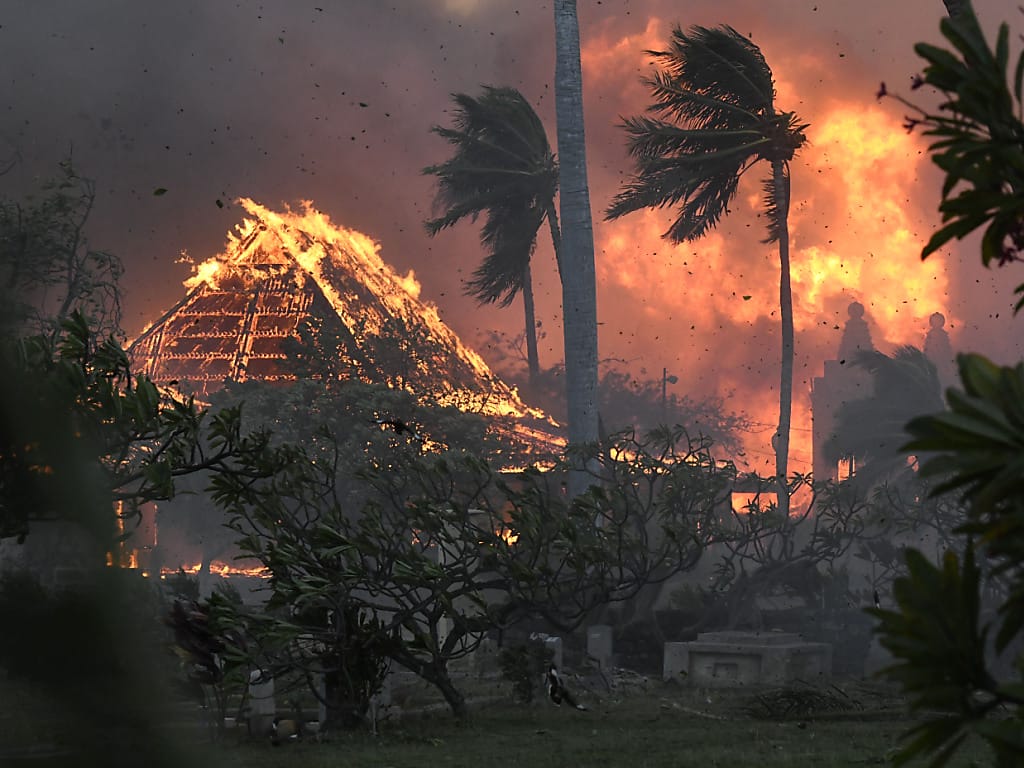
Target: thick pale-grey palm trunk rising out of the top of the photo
579 280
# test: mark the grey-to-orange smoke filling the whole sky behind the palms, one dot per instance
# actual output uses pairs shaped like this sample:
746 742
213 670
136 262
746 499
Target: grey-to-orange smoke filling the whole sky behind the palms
334 104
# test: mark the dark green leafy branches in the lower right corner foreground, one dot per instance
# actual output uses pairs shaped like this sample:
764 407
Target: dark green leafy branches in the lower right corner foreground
940 635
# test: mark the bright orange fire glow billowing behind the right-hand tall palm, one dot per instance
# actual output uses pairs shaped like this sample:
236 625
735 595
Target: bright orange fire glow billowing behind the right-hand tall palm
709 309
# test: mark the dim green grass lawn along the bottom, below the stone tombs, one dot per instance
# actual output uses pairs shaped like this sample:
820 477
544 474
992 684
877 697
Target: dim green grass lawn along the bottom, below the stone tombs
655 732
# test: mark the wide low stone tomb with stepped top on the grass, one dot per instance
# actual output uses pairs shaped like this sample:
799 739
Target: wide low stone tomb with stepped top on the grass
739 659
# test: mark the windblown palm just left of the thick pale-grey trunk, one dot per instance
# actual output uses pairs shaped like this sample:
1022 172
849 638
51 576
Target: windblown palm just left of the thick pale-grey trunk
503 166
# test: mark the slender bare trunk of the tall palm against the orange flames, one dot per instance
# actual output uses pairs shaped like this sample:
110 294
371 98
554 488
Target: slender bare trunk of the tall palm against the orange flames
781 180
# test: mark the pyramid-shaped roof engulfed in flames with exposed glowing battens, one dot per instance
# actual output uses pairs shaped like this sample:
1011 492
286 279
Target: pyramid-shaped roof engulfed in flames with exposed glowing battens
282 273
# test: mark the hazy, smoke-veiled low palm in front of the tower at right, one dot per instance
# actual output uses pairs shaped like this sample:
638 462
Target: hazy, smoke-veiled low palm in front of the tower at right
873 431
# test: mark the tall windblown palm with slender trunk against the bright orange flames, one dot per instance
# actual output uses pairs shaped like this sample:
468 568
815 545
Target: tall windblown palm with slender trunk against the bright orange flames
713 118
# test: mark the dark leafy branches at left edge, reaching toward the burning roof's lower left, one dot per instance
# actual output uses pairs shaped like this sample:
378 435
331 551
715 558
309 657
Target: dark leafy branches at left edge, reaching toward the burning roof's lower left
81 434
